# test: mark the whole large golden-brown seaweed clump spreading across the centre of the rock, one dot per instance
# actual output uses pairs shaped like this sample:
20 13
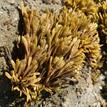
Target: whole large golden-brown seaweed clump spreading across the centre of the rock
56 48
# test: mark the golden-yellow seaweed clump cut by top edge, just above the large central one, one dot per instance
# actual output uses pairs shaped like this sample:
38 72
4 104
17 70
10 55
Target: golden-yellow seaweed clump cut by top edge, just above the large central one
89 7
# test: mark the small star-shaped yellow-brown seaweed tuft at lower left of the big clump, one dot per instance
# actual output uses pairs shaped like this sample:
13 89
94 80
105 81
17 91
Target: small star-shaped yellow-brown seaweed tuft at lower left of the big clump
24 78
